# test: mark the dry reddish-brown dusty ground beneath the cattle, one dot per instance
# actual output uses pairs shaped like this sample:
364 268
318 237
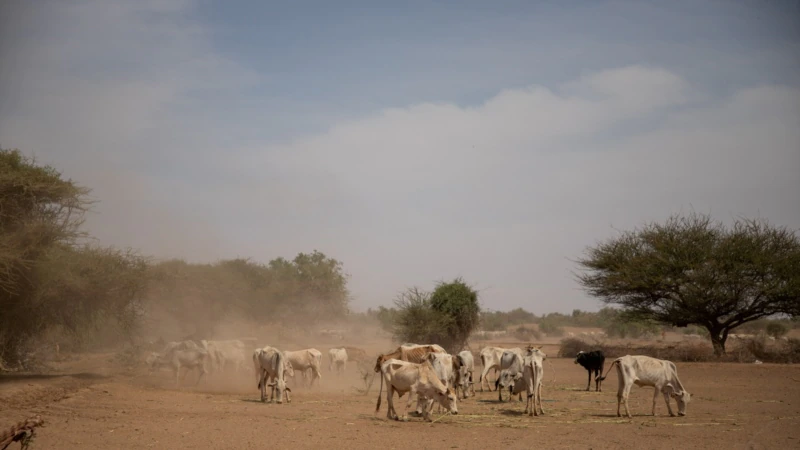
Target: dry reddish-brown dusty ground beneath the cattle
733 406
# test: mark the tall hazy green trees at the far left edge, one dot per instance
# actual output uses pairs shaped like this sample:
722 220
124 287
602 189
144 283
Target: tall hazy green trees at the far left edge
47 280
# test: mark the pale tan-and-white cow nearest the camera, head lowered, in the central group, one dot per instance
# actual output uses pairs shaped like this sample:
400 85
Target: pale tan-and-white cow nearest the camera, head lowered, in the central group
413 378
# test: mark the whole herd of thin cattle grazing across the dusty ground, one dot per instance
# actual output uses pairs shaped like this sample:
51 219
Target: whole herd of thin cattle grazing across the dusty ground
426 372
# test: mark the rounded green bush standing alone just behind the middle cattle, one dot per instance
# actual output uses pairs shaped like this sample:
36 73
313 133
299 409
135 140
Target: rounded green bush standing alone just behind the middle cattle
445 317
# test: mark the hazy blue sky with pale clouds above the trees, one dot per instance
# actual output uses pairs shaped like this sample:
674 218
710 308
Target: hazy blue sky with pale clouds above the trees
413 141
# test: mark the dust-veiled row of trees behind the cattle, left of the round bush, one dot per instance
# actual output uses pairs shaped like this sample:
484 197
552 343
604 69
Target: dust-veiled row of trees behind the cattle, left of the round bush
312 287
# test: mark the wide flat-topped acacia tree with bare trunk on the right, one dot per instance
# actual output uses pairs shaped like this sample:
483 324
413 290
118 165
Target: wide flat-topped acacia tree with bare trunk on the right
695 271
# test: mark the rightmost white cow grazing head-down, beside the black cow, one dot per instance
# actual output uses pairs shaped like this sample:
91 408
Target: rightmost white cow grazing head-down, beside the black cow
646 371
